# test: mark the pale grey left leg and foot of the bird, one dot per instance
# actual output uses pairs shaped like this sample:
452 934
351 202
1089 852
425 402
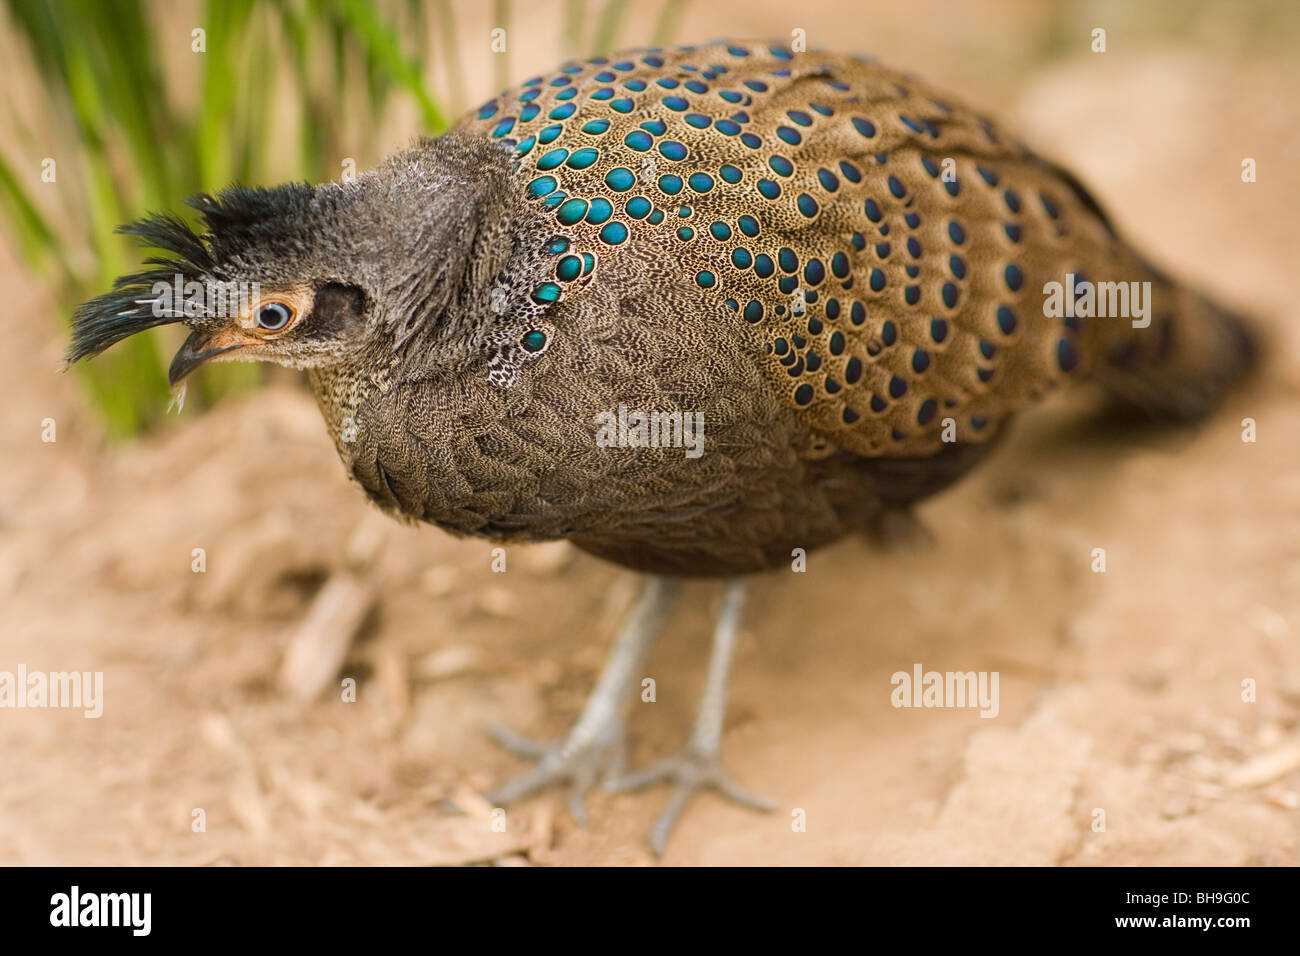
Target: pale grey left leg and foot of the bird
597 745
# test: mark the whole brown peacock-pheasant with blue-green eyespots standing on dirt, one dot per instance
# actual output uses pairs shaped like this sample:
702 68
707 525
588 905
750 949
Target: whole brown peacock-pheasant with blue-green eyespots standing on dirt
694 310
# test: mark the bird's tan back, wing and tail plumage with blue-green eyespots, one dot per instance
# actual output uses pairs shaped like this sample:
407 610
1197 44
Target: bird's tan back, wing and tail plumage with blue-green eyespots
891 245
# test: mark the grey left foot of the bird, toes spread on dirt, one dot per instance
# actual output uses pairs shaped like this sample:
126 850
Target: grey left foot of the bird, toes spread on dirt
580 759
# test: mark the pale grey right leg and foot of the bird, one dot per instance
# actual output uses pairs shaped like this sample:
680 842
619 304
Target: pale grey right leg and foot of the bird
699 764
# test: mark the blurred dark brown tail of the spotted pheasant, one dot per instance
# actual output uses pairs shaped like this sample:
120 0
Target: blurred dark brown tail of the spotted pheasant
1181 366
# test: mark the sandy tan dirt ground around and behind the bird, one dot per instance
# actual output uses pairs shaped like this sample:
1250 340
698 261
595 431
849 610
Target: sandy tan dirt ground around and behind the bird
1120 693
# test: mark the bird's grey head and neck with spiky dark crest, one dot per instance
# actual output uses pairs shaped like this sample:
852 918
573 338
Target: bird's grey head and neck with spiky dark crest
309 276
